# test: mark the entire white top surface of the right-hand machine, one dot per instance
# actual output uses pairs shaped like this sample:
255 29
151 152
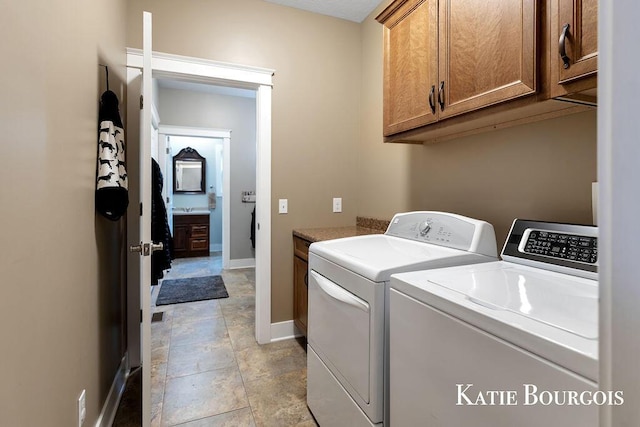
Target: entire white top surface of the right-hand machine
558 321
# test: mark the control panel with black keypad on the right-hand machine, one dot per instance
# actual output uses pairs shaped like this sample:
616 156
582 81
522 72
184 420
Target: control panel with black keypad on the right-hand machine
568 248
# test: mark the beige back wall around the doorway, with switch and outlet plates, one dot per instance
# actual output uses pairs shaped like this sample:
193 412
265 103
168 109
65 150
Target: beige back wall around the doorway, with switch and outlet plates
316 99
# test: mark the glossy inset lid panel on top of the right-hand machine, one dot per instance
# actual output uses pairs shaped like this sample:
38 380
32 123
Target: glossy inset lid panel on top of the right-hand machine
563 302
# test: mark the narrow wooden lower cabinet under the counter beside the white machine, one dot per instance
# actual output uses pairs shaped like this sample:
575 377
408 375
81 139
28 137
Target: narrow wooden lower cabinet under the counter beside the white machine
300 282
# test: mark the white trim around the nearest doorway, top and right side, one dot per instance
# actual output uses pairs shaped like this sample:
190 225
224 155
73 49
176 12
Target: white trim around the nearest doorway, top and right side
199 70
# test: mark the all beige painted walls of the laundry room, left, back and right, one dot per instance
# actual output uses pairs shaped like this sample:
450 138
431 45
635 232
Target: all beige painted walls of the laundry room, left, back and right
60 263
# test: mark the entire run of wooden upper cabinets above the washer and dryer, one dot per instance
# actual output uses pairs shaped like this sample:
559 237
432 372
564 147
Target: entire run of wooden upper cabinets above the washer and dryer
454 68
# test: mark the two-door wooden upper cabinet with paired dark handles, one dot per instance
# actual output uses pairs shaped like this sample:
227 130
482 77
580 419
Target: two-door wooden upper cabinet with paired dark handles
443 58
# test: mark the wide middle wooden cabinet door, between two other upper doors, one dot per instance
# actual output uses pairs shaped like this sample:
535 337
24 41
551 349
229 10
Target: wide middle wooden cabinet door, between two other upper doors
487 53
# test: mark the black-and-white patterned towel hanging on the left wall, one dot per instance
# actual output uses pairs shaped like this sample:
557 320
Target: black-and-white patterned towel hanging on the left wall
112 197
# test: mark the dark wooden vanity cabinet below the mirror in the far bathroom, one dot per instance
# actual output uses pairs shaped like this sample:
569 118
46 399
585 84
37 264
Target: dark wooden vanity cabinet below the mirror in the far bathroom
190 235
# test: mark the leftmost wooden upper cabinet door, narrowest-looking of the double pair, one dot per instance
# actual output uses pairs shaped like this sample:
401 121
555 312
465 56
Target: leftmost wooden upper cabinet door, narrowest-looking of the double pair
410 65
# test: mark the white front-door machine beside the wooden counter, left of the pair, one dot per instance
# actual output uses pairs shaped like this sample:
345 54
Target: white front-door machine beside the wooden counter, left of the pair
348 283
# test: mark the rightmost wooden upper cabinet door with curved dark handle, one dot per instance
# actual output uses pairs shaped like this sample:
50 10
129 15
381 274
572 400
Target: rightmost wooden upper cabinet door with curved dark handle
574 31
